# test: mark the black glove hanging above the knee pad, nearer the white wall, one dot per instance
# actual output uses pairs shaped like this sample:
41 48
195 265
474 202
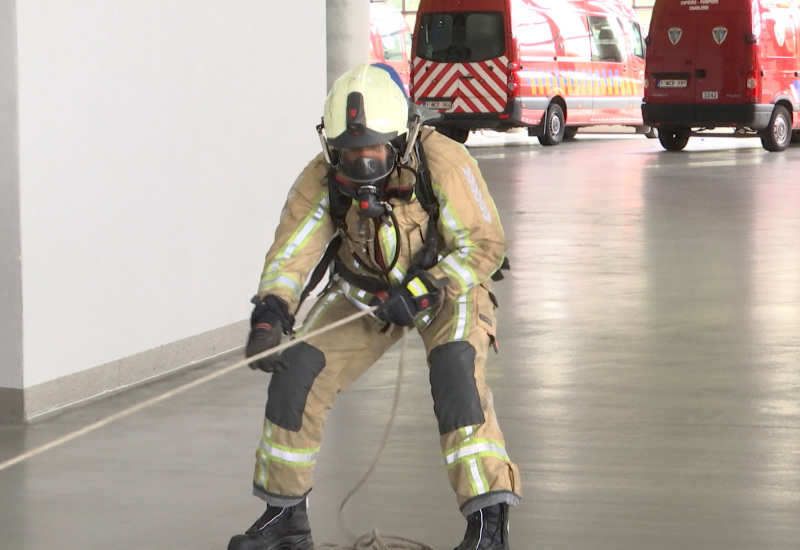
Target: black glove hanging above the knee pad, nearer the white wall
270 319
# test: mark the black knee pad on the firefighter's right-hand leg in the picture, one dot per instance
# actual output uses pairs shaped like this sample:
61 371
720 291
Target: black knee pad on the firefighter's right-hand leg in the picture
456 401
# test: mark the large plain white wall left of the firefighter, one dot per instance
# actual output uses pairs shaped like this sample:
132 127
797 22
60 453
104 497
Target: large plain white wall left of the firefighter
157 141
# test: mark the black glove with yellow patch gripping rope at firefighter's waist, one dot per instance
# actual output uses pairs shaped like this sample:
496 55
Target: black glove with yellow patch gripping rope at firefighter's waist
401 304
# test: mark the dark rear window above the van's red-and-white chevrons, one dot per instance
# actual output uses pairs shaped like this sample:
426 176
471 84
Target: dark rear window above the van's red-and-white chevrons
462 36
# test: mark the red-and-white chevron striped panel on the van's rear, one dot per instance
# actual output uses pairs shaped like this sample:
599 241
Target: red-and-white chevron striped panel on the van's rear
480 87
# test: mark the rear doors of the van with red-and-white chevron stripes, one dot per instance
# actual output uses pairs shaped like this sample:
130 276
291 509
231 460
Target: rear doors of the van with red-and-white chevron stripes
461 64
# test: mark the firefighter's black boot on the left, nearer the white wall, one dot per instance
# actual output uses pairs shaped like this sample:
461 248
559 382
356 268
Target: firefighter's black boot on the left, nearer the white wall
277 529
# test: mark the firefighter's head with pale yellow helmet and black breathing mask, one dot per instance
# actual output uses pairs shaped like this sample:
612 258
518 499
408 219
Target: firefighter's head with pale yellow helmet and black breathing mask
366 133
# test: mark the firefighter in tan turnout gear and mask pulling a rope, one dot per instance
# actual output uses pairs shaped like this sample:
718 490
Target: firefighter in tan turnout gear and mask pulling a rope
368 199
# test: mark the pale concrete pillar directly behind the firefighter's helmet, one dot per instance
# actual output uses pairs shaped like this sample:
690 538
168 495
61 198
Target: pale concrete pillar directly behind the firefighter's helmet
348 36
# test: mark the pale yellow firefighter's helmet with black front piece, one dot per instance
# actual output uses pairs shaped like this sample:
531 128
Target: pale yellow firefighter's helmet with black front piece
364 107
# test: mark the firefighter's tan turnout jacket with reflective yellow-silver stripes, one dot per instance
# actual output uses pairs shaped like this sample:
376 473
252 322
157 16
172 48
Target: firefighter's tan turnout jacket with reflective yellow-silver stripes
472 247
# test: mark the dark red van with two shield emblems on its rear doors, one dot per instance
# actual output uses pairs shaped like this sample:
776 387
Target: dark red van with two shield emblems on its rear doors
723 64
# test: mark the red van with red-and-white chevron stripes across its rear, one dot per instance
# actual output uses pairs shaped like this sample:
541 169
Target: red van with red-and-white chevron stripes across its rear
551 66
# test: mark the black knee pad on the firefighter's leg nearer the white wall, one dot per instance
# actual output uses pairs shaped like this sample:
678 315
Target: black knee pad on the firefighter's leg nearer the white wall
289 389
